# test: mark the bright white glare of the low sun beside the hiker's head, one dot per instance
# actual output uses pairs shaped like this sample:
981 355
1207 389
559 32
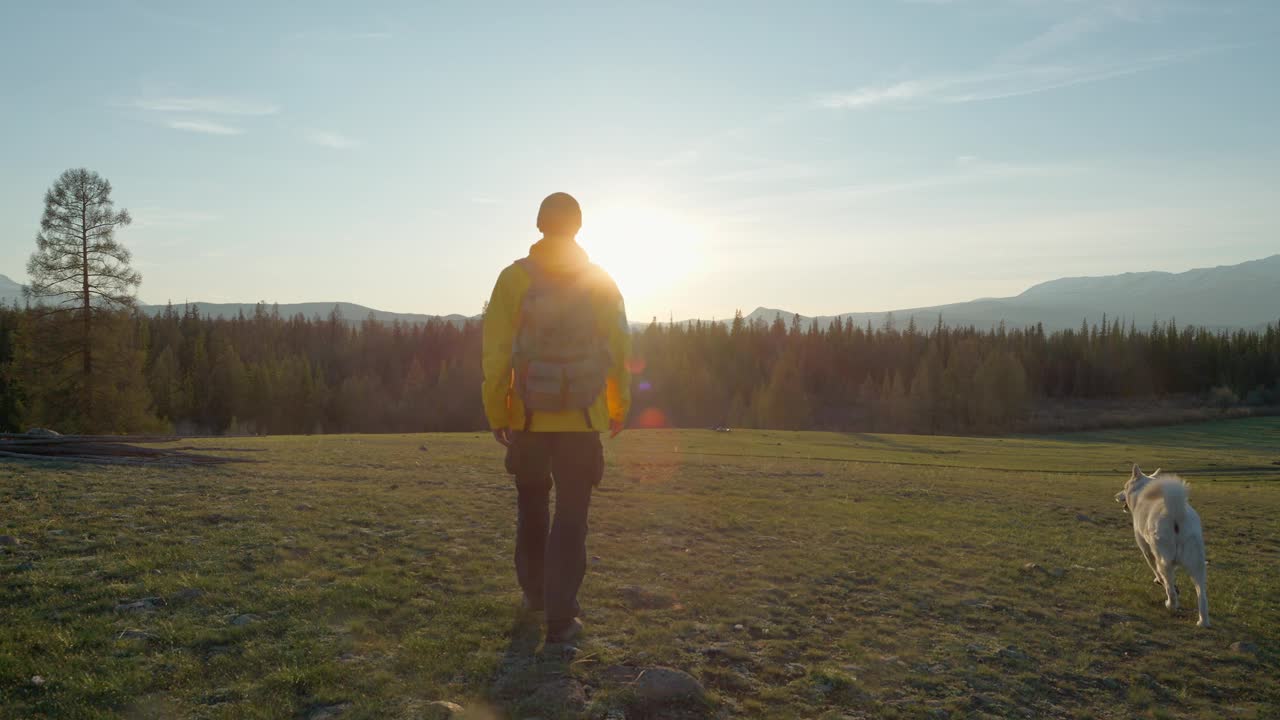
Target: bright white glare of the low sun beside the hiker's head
647 249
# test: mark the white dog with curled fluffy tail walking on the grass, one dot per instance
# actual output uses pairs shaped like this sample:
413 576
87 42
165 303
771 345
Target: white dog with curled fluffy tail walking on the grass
1168 532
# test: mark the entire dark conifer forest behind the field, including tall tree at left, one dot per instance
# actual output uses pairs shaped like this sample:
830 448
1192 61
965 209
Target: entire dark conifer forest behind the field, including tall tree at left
81 358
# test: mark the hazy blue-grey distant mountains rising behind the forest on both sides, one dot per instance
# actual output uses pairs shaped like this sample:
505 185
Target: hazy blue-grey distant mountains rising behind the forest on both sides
1223 298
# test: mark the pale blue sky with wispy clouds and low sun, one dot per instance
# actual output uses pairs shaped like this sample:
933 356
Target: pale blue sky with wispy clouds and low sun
816 157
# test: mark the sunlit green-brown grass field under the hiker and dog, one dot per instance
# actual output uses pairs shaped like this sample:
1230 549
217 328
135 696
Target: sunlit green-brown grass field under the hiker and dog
793 575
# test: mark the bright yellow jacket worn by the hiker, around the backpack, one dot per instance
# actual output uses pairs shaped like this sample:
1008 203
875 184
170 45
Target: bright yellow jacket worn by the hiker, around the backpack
502 316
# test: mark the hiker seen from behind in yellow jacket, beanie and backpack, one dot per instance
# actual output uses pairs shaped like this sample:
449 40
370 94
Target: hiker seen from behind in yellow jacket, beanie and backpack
556 344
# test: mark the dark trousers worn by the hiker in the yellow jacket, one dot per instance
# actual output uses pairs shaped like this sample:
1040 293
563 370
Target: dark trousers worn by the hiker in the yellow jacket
551 557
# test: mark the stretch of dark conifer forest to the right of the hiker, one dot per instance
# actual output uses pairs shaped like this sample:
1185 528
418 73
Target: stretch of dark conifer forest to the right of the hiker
941 380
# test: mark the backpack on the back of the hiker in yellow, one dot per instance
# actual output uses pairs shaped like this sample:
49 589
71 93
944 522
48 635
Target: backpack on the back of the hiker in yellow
561 354
